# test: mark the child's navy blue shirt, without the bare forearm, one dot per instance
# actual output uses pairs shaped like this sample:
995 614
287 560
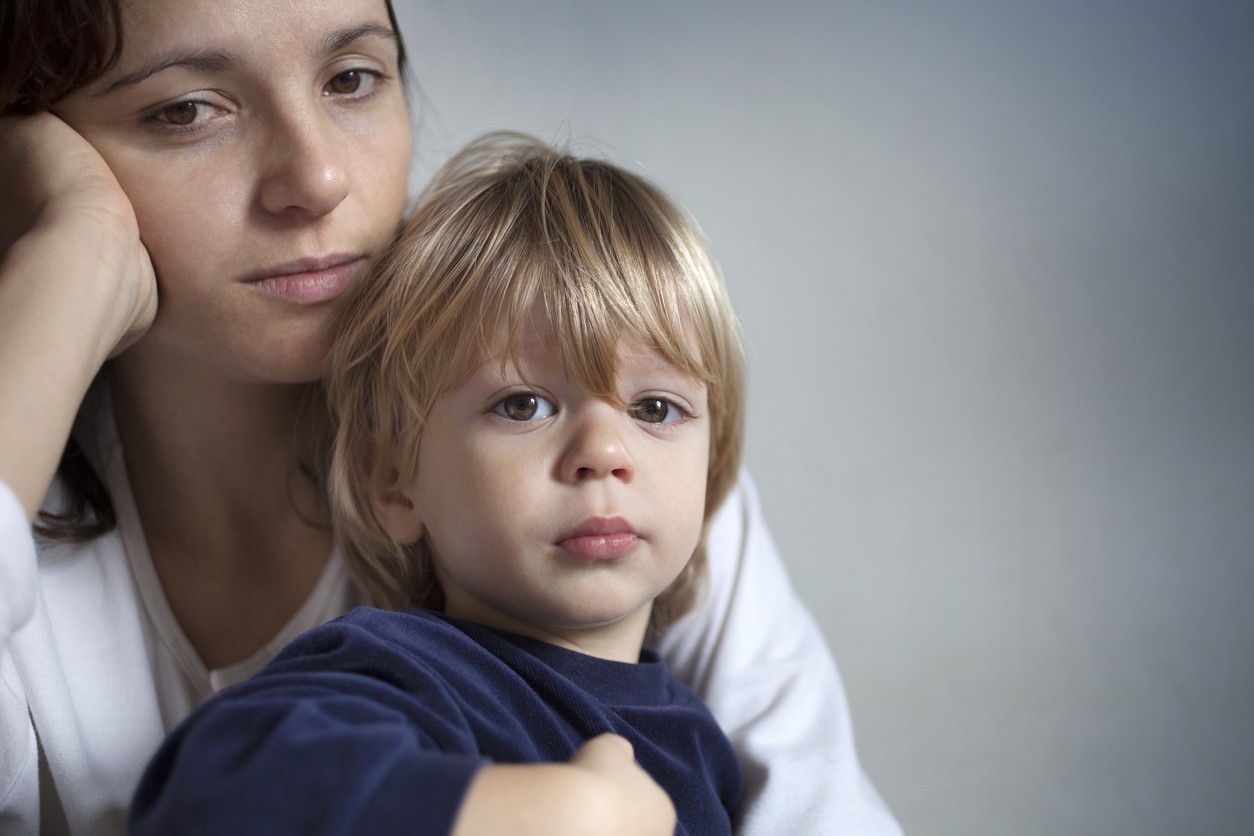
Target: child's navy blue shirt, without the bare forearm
378 721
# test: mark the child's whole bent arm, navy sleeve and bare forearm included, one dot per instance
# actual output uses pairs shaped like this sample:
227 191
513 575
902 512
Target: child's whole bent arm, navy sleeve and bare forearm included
344 734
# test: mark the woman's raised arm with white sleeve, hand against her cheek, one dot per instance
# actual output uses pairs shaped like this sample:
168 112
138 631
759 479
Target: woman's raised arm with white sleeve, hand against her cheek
76 284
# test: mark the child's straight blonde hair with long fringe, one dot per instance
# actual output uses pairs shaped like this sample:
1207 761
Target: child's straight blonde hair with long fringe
507 227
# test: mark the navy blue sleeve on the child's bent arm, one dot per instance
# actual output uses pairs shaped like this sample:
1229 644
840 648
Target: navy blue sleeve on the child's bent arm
300 750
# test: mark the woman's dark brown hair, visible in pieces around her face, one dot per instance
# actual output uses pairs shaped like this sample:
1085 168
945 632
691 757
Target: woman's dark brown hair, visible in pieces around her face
51 50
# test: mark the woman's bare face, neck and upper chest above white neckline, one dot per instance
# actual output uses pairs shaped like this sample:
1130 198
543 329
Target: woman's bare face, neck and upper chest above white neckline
251 140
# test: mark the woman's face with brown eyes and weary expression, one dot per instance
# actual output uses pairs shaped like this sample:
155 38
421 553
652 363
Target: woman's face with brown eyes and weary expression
265 146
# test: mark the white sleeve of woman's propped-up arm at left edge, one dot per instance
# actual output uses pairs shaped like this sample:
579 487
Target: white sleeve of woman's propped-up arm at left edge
19 765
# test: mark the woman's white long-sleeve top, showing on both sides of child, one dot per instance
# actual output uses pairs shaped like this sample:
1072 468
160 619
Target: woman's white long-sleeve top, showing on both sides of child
95 671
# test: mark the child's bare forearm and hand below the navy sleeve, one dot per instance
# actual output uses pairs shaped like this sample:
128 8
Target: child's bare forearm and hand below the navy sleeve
600 793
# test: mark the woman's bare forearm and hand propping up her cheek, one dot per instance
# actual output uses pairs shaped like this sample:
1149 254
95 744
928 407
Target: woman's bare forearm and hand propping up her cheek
76 285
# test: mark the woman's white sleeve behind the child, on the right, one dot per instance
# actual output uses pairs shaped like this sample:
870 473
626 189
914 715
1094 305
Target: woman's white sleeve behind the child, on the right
754 654
